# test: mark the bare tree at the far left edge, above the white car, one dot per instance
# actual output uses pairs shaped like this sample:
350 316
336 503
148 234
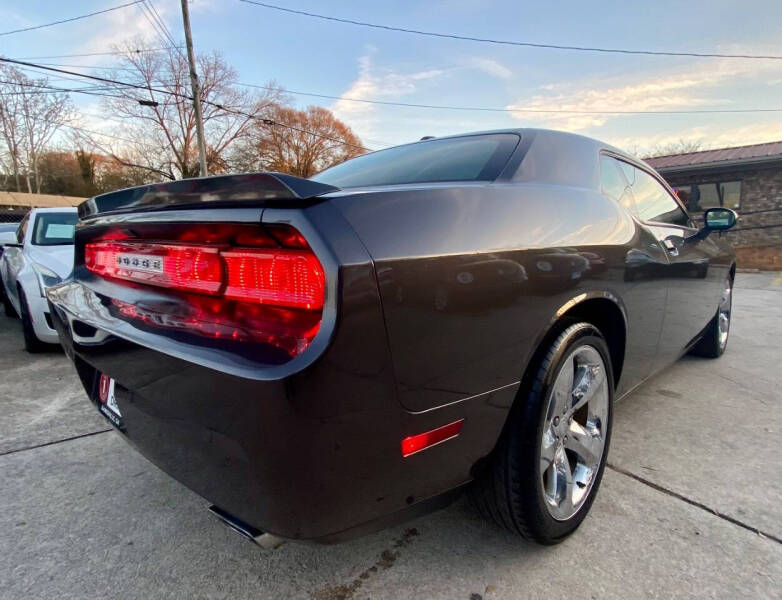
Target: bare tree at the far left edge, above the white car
30 115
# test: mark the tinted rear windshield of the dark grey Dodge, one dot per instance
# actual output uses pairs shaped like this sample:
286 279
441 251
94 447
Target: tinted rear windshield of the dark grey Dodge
471 158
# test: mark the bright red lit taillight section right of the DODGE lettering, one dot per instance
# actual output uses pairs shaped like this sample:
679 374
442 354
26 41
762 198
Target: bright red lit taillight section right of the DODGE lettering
280 277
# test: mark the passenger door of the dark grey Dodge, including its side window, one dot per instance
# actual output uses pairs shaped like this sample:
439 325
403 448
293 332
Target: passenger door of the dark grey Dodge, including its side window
693 285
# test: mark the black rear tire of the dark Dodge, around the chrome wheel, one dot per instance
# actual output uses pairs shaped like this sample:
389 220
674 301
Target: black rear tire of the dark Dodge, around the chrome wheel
509 491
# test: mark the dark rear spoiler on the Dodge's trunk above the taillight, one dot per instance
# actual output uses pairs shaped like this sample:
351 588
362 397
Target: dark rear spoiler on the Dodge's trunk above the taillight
254 189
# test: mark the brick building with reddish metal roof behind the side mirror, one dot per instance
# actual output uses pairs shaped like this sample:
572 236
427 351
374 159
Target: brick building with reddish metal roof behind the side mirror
747 179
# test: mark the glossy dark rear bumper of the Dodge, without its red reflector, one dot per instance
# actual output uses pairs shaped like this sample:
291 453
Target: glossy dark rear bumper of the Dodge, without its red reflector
313 456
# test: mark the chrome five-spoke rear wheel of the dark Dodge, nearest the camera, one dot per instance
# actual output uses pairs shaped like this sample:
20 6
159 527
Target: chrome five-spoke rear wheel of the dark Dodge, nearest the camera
574 432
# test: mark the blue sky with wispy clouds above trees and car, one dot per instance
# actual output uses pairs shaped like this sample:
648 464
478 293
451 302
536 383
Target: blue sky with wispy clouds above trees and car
310 55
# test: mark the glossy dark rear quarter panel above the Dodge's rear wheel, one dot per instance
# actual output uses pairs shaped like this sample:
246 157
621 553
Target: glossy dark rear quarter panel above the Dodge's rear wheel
457 331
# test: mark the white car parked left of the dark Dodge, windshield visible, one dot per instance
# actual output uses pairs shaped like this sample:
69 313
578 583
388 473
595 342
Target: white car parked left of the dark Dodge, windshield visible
40 257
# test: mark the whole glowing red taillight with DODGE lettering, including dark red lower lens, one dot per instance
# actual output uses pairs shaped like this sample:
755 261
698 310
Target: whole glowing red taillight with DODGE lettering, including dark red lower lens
272 292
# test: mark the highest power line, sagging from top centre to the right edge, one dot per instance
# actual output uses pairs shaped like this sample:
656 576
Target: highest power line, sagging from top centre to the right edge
510 42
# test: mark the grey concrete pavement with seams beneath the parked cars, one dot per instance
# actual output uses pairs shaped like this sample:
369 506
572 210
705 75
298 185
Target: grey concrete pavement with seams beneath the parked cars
89 517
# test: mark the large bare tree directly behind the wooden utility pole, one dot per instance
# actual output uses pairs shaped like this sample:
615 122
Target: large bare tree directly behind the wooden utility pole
162 131
